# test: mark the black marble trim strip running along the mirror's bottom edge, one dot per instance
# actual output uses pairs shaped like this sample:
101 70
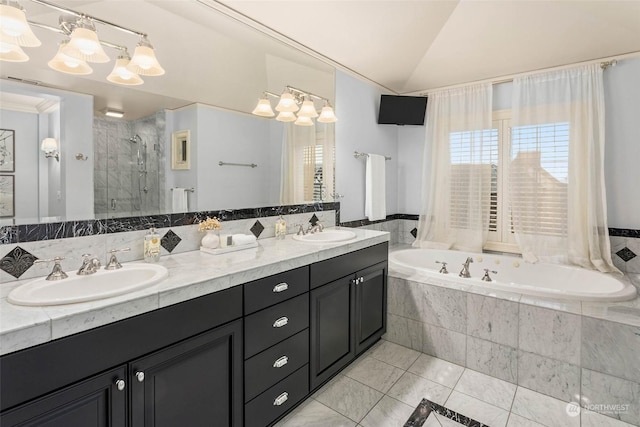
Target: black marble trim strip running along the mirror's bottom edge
11 234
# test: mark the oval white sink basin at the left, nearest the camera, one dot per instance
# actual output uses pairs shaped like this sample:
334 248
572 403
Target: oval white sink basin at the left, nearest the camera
102 284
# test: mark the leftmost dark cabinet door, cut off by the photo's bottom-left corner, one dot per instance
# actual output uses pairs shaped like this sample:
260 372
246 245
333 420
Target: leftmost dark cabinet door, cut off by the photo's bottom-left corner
96 402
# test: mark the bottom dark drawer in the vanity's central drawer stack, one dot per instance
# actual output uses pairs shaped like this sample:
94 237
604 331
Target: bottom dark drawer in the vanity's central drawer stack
278 399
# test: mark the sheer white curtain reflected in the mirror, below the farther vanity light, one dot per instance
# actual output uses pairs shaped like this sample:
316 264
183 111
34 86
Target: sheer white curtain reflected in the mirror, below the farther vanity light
304 148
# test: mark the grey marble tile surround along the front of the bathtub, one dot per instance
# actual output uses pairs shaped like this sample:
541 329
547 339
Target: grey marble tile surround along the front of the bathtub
539 344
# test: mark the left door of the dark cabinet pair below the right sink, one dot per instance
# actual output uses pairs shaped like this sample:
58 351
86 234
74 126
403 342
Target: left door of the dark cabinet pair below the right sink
332 343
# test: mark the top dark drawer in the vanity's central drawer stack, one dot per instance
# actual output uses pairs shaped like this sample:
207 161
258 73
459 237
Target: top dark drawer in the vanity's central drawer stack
274 289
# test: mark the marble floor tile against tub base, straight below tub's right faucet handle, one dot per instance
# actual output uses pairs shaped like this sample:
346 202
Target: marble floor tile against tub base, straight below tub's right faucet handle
488 389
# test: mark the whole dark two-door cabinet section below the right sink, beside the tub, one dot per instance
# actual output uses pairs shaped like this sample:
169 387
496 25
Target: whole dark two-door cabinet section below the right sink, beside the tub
348 315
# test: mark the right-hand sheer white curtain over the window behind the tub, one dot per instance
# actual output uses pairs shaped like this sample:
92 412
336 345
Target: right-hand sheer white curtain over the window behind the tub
557 189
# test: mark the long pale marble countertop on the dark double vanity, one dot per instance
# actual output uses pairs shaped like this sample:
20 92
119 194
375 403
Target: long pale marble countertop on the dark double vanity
191 274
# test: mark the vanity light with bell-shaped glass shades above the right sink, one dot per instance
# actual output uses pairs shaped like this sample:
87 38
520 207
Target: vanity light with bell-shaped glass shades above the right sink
295 100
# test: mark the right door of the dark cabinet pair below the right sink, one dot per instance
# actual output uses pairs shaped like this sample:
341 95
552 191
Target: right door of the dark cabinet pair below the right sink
371 302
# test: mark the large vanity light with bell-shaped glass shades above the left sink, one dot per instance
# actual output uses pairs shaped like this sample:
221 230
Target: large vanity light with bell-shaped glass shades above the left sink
82 44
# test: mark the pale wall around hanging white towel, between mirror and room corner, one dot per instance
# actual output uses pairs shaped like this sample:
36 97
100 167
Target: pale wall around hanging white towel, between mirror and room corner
357 106
